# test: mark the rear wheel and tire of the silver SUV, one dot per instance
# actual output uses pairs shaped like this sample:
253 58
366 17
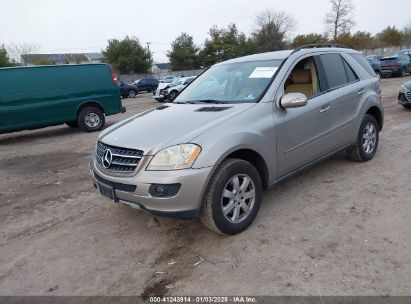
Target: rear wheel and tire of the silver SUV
365 148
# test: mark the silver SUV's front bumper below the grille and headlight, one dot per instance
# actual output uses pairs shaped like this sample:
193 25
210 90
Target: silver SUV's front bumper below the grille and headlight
185 204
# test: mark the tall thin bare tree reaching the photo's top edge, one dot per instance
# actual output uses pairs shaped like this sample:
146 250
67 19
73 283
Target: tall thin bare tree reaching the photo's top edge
339 19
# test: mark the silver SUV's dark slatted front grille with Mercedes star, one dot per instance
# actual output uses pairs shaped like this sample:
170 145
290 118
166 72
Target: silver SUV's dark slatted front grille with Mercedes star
123 160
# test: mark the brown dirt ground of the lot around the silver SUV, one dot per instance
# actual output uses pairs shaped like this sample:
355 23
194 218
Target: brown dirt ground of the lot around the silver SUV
340 228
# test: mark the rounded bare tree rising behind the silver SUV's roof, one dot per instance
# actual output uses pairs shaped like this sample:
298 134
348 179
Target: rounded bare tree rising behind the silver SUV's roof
272 30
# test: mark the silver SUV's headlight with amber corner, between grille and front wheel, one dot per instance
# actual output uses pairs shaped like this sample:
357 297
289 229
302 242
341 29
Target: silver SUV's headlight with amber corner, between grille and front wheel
174 158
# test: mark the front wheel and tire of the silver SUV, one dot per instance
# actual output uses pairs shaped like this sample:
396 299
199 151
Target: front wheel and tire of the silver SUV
211 212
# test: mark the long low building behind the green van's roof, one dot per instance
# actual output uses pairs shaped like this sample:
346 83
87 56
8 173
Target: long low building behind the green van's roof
58 59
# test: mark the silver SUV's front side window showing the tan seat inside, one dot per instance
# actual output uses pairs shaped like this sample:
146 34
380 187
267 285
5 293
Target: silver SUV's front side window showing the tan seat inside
303 78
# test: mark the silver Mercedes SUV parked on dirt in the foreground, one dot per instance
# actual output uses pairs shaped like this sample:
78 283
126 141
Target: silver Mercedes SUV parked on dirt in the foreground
241 127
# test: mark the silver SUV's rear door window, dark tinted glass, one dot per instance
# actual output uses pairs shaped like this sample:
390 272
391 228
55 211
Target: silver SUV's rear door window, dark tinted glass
334 70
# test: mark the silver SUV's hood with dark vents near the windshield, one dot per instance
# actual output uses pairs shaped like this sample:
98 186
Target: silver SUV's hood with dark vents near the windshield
168 125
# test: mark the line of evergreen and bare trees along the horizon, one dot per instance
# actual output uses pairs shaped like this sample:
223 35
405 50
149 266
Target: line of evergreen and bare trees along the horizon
272 32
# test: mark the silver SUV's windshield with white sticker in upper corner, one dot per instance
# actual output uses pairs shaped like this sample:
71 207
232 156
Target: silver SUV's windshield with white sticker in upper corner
239 82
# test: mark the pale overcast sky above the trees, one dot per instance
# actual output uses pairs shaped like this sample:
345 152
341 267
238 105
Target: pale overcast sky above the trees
85 25
